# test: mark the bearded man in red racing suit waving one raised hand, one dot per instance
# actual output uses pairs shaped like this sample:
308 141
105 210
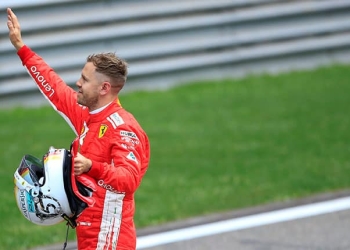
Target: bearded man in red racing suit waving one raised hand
113 148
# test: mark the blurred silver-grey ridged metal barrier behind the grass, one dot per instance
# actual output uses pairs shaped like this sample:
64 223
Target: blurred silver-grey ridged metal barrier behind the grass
173 42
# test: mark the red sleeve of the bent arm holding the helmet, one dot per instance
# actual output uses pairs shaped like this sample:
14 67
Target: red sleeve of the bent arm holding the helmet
130 162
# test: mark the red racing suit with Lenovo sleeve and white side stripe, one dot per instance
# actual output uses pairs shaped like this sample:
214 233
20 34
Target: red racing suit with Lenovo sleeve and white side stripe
119 150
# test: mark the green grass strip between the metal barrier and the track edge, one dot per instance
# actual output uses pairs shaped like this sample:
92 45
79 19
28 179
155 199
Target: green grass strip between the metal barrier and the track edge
215 147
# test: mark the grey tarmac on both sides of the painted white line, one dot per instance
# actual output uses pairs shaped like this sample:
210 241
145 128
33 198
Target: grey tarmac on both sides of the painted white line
323 232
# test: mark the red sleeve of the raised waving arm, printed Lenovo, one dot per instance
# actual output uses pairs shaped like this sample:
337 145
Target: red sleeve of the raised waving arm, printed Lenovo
57 92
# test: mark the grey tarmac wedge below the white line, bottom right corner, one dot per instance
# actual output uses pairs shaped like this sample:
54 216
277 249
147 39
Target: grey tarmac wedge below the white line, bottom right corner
325 232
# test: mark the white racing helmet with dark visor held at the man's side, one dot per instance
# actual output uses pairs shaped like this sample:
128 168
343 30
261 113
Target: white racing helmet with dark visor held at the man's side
44 189
